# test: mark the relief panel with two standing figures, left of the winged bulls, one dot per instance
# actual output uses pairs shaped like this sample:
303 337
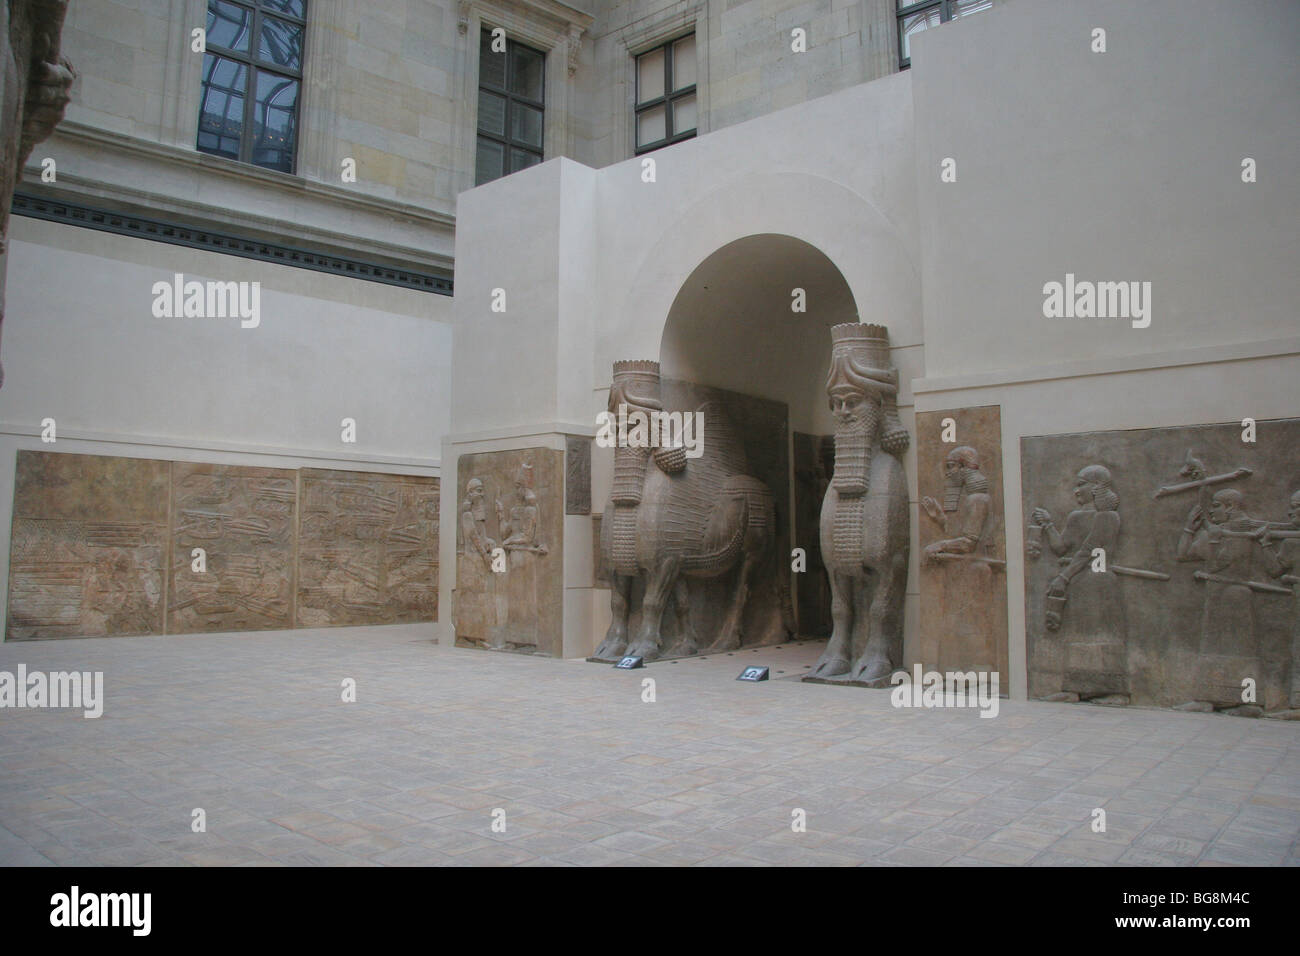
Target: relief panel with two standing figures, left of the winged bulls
510 569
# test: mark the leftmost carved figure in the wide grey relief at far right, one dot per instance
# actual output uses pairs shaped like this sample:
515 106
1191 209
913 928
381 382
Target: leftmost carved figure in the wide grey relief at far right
1085 607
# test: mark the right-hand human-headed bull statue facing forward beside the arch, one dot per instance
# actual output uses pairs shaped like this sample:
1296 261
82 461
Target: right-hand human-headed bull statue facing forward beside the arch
865 516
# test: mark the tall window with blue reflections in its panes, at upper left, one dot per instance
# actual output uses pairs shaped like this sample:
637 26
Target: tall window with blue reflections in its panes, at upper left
253 75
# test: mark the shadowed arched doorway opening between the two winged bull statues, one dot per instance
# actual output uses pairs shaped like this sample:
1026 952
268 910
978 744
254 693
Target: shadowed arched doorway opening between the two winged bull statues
755 321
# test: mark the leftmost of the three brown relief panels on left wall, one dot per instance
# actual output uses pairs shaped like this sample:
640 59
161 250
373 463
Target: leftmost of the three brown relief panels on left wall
88 547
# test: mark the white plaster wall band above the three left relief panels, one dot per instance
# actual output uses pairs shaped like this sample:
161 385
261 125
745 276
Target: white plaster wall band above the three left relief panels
81 345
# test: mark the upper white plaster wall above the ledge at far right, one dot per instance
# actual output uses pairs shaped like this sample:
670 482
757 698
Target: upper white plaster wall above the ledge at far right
1117 166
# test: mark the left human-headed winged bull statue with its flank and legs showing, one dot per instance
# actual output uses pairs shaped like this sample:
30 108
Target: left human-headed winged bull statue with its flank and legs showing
679 520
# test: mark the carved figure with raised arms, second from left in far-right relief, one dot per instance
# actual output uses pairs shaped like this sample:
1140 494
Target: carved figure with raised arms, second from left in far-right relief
1232 546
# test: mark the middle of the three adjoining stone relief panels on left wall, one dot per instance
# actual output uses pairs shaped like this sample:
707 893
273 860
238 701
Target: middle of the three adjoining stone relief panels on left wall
244 520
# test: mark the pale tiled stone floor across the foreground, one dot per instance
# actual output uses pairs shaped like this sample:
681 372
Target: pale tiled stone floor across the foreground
253 730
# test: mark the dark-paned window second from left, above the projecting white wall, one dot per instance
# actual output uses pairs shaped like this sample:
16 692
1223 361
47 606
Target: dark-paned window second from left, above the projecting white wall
512 109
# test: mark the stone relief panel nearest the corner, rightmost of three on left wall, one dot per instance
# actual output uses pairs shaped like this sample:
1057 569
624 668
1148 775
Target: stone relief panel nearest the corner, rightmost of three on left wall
367 548
